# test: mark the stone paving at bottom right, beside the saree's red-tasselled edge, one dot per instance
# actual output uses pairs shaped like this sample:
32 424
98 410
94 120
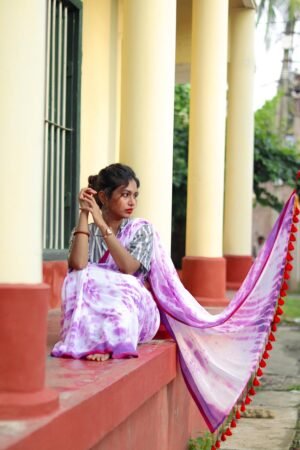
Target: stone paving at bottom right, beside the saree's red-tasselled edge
272 421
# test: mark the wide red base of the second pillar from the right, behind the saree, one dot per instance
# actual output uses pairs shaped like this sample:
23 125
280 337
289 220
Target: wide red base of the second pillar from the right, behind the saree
205 278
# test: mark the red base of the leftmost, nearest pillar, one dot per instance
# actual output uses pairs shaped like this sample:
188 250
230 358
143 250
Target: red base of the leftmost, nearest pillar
23 333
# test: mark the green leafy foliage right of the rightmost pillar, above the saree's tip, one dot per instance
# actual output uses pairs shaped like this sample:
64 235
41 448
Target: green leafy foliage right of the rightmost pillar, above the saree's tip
275 159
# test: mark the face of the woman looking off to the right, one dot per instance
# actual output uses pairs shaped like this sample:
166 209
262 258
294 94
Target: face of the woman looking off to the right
123 201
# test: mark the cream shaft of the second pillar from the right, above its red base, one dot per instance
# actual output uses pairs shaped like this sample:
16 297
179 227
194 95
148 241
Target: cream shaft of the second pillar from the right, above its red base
207 129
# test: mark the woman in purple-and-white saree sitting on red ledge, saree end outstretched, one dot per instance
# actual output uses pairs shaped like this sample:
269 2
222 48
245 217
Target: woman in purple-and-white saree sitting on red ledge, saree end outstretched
107 310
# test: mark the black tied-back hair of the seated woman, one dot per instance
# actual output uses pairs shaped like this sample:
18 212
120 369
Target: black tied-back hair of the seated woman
112 177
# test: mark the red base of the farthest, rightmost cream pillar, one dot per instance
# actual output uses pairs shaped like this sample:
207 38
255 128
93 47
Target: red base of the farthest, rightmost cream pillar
237 268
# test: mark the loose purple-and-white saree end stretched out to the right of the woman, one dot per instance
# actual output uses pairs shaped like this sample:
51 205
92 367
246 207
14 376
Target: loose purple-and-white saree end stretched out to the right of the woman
219 353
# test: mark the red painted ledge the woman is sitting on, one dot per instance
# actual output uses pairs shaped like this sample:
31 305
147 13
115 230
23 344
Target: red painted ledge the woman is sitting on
94 399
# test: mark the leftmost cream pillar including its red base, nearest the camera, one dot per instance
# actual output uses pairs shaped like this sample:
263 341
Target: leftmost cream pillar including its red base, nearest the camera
23 296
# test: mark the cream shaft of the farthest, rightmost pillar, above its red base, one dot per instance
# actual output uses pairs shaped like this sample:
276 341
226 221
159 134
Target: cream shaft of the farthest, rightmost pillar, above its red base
240 134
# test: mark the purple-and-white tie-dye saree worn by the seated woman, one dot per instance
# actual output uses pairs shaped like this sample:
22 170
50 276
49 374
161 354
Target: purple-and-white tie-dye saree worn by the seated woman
106 311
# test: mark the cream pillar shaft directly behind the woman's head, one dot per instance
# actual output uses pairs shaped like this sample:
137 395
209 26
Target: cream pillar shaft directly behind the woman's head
148 74
